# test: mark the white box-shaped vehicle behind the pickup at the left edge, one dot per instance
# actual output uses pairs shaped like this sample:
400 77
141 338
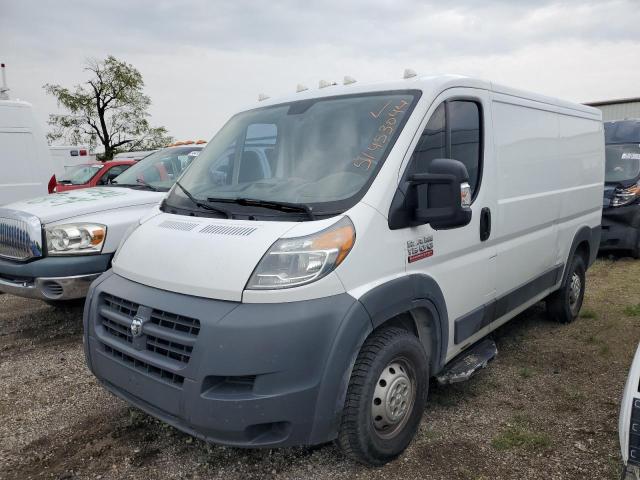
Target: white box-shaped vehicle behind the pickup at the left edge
26 167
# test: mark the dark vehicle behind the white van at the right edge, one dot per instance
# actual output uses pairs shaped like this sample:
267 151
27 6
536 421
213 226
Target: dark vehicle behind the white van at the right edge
621 205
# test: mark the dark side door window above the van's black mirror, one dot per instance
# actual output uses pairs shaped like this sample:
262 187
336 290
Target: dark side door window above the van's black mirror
453 131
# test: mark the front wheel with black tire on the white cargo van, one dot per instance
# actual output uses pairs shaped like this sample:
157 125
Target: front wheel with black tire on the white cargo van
388 353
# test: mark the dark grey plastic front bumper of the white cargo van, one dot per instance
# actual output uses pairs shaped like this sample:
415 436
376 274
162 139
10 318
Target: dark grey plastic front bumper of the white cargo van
250 375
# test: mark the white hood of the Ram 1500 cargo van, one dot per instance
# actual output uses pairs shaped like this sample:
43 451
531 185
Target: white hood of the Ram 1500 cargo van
204 257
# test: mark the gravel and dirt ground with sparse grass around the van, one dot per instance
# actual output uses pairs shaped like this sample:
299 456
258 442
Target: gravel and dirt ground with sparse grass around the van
546 408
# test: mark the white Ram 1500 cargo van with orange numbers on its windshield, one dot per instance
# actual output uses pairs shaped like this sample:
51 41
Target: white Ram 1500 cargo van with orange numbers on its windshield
329 252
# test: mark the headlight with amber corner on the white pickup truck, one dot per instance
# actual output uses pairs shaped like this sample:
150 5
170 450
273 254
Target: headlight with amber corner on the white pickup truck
75 239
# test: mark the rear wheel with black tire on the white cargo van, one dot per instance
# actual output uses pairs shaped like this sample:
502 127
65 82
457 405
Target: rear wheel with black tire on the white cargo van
564 304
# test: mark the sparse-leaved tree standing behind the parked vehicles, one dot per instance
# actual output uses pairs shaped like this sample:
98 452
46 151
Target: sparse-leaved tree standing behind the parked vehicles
108 109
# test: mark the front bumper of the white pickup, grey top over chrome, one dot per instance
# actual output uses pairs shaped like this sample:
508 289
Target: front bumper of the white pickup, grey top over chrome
52 278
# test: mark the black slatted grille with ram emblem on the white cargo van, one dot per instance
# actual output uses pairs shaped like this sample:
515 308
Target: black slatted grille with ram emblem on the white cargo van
164 334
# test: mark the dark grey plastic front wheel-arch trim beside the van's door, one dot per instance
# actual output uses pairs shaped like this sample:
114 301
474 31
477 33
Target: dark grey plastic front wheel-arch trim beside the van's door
406 294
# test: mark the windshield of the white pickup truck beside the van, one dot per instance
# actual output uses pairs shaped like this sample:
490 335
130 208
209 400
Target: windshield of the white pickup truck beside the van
159 170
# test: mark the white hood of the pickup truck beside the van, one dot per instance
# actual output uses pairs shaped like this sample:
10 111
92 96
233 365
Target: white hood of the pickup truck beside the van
60 206
